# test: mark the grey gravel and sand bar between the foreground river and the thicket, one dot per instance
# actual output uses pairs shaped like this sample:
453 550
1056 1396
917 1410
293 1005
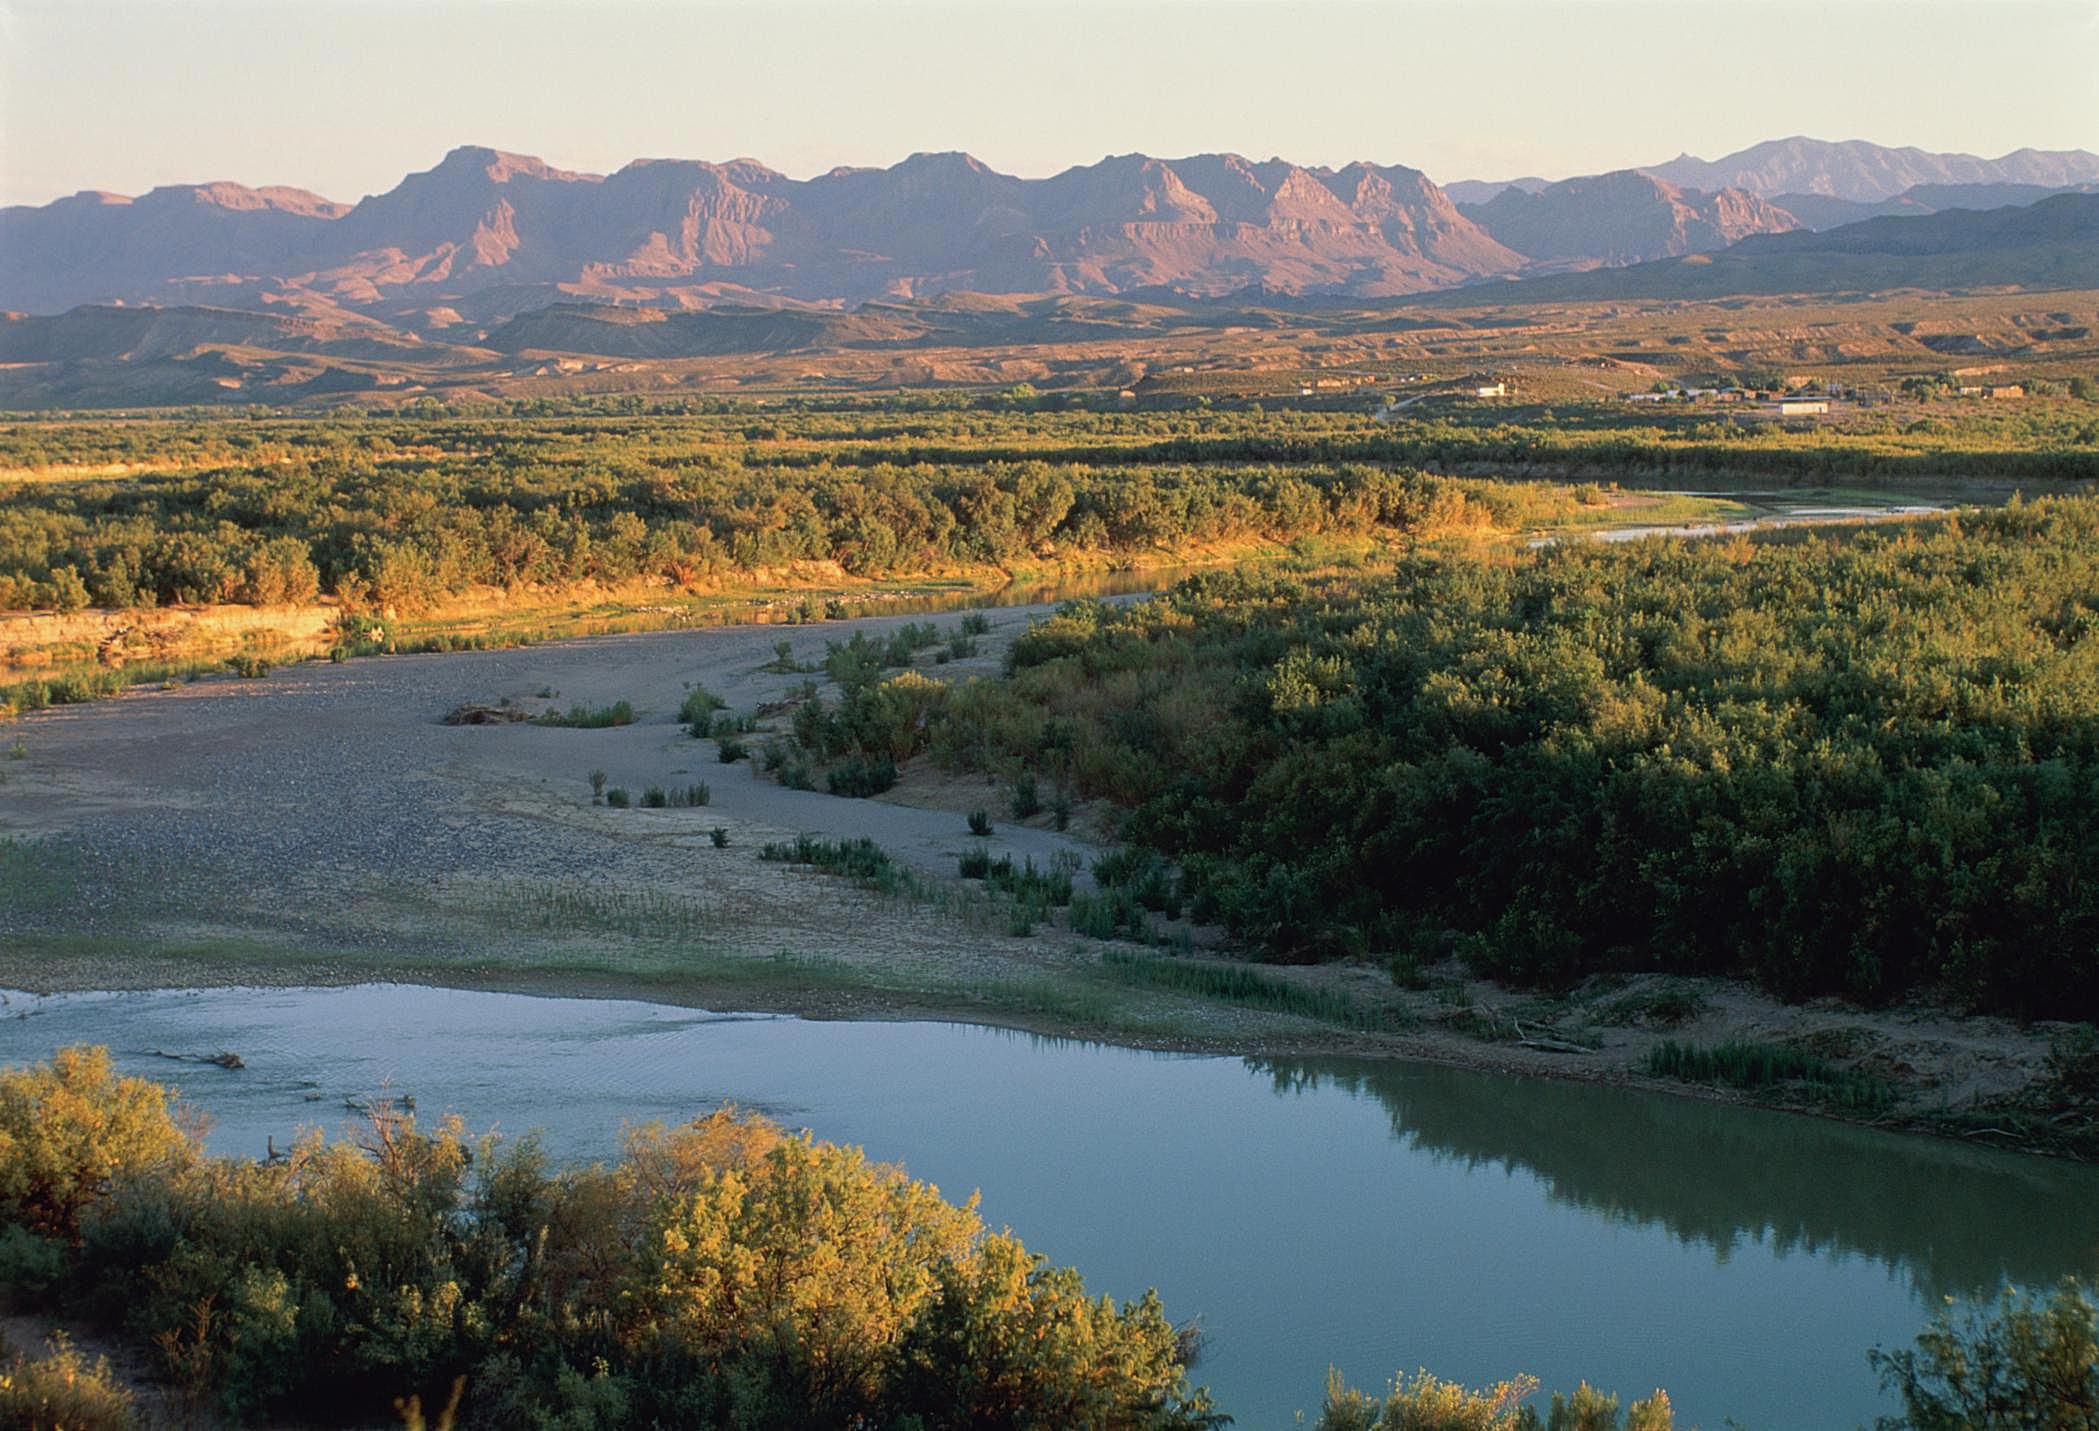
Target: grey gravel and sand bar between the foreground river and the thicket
324 826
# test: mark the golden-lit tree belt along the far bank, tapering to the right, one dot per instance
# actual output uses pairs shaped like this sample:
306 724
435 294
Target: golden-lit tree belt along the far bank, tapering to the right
412 532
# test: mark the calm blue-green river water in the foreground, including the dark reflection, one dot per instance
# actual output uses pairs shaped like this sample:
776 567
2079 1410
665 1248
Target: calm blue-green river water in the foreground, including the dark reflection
1376 1216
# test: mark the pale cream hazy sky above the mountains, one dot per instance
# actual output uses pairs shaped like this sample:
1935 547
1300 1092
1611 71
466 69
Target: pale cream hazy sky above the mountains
347 95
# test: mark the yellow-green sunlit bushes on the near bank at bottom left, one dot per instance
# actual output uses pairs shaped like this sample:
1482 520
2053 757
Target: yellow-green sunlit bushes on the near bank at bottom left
719 1275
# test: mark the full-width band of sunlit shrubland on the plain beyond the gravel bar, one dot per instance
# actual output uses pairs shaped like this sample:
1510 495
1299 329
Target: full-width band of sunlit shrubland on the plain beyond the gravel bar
408 511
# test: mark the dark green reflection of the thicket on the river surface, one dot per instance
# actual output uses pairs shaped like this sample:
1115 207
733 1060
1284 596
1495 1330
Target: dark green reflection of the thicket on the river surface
1955 1222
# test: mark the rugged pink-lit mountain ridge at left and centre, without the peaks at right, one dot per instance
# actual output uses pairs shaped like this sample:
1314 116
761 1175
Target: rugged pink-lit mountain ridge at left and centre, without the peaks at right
503 234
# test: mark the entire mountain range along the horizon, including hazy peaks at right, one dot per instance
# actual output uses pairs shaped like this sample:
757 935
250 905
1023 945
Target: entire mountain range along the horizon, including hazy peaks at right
488 234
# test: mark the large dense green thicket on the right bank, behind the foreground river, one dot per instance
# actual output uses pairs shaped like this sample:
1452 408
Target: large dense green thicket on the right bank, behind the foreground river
1844 765
